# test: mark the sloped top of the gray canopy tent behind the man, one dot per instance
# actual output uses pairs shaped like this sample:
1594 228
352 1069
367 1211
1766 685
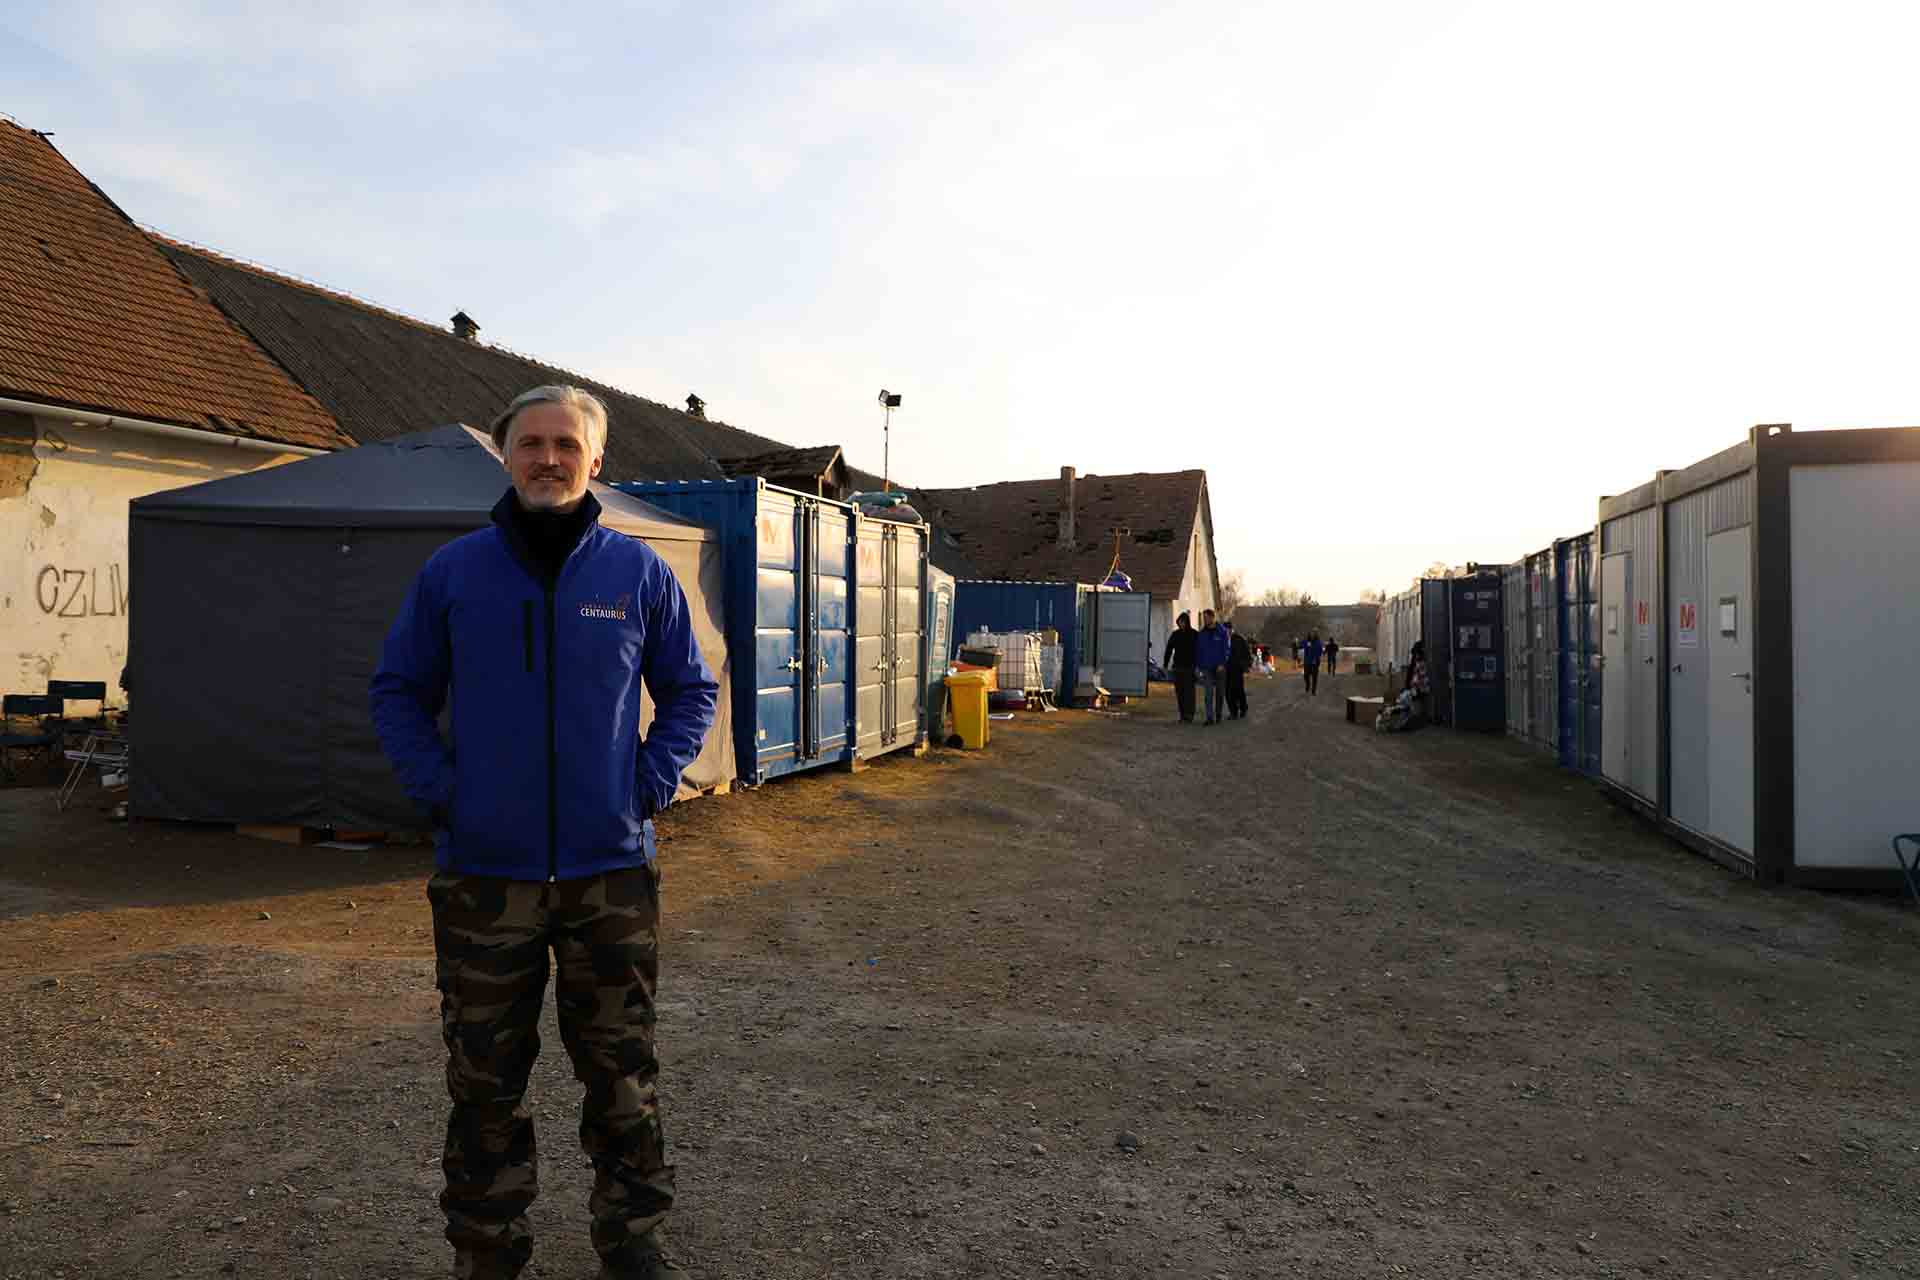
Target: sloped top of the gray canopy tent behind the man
446 477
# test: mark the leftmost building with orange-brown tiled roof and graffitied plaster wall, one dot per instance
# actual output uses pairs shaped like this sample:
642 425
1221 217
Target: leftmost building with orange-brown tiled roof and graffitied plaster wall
118 379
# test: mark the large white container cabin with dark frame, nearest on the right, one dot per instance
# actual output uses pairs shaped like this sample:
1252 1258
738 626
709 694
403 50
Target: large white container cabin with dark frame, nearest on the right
1758 611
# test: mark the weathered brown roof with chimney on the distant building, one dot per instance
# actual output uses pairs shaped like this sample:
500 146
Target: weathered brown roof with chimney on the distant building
1013 531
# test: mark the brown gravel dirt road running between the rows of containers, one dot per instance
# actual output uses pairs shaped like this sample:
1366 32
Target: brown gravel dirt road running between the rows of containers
1115 999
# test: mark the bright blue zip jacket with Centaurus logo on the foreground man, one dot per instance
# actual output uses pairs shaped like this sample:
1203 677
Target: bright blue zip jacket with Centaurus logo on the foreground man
546 774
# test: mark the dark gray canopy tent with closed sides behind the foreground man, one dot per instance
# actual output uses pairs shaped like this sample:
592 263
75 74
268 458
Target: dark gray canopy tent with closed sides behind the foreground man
260 602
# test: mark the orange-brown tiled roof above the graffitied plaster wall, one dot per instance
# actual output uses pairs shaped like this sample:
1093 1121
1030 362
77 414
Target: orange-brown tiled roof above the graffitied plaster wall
95 318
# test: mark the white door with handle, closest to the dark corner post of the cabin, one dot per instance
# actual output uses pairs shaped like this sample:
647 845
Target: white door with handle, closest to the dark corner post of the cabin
1729 625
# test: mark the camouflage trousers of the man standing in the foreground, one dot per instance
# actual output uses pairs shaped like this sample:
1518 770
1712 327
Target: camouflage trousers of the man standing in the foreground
491 943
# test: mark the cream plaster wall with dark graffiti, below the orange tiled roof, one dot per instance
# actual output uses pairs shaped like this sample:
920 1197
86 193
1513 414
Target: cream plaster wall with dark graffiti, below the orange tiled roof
64 590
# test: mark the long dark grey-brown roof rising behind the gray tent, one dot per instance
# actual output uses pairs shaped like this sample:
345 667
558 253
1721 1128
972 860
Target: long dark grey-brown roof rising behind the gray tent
385 375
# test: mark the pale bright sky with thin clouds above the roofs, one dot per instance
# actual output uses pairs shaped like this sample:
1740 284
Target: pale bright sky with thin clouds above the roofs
1412 281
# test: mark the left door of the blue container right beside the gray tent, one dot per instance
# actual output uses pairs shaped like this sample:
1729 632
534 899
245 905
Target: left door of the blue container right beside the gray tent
779 634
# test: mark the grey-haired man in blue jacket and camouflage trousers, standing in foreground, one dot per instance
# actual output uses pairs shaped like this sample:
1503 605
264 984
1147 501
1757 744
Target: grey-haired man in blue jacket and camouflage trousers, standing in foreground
540 630
